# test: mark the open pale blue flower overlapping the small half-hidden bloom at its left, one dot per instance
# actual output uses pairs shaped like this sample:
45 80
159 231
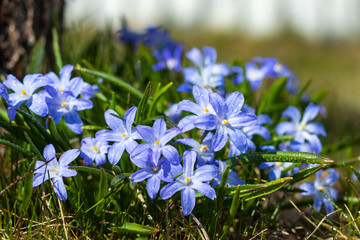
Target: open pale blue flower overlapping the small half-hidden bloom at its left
121 134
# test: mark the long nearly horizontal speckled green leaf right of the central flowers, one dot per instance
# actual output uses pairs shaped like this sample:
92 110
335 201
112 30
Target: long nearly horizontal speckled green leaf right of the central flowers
279 156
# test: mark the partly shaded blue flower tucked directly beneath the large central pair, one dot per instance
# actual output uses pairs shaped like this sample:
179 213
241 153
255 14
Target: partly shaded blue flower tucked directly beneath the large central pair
205 154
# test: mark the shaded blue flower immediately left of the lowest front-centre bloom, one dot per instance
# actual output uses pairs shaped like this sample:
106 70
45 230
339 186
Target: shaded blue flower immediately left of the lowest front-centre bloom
163 171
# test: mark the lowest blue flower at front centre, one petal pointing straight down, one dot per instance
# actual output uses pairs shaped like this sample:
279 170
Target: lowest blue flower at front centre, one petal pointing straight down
190 181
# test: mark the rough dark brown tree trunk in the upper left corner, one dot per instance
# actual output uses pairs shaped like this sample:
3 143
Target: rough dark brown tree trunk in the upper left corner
22 24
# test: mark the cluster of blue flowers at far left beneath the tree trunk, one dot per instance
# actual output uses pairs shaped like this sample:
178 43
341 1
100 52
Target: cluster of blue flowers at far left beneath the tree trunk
49 95
